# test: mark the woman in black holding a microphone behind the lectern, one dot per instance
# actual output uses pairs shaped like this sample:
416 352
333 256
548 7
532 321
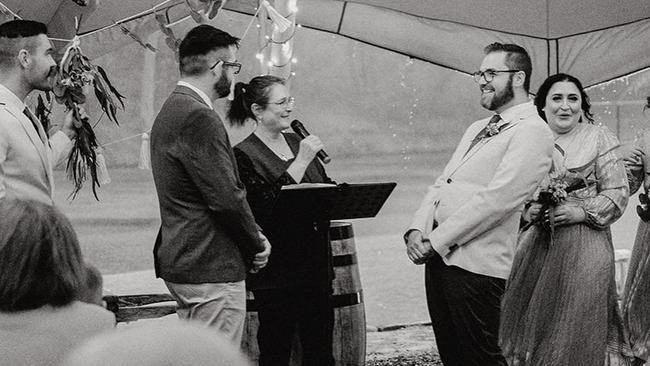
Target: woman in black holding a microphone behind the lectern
294 291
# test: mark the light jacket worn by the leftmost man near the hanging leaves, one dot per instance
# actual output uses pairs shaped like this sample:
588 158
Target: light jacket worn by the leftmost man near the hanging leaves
26 162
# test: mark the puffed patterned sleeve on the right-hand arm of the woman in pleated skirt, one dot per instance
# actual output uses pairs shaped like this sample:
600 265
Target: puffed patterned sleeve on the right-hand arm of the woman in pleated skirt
610 202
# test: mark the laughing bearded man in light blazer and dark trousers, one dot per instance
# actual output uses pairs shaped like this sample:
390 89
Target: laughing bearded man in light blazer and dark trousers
466 227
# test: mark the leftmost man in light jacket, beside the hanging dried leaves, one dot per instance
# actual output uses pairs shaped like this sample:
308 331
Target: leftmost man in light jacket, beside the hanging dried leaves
27 155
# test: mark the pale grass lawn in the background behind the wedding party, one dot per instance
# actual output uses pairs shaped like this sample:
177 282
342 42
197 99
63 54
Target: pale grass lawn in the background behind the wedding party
117 233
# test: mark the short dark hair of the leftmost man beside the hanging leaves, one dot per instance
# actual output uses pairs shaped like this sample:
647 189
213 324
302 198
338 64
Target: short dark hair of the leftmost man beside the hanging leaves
15 35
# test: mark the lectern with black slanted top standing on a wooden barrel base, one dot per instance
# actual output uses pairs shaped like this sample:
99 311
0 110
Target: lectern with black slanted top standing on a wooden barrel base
318 202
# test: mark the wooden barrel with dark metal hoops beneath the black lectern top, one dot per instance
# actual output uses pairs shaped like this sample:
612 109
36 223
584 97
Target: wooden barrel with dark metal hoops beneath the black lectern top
349 335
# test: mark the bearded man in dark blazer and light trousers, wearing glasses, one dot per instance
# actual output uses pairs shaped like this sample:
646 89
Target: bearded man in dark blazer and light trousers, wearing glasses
208 237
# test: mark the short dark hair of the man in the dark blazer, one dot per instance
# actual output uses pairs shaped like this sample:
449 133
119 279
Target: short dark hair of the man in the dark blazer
196 45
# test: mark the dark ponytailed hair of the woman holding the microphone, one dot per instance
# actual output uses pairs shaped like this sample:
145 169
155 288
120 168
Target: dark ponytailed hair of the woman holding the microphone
255 92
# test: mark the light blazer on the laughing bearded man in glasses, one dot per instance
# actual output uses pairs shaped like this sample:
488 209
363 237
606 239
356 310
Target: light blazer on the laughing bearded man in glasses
478 199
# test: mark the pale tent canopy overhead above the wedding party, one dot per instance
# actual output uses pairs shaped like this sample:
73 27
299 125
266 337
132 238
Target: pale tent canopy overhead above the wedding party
595 40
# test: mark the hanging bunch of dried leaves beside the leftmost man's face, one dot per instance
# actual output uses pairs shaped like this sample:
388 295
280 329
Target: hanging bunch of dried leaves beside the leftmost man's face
75 74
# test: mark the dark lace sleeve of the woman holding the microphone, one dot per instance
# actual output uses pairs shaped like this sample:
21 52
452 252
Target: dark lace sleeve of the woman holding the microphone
260 193
